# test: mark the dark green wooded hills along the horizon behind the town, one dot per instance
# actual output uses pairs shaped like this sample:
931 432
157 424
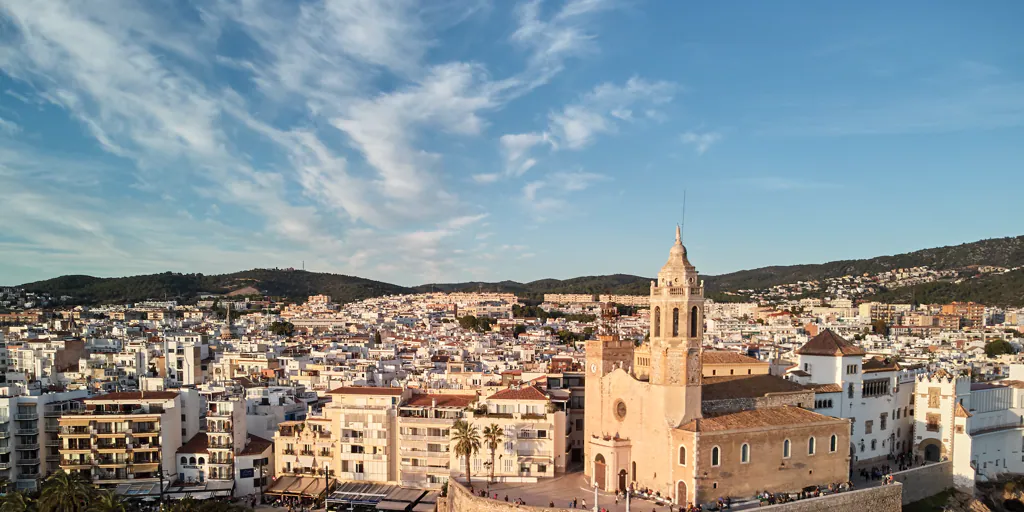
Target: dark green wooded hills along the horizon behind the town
1005 289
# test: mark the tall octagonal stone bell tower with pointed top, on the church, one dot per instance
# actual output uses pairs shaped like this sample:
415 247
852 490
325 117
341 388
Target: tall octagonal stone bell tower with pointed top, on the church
677 325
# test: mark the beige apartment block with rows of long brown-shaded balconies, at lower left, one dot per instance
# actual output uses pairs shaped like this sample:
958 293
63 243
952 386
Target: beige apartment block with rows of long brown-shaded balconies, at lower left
123 438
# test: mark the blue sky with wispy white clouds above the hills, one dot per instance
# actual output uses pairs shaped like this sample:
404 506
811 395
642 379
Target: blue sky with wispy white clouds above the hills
455 141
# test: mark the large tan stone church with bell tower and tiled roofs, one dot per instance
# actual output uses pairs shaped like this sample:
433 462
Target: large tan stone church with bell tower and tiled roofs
654 420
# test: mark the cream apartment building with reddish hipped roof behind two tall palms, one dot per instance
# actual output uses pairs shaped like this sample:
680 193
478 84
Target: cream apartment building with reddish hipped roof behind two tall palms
535 437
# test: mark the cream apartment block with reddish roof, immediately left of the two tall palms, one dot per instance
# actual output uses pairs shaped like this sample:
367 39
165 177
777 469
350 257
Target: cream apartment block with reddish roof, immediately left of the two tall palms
424 435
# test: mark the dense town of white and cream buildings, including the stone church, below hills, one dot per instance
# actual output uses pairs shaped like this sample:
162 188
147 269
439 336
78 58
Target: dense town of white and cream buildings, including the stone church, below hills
399 401
